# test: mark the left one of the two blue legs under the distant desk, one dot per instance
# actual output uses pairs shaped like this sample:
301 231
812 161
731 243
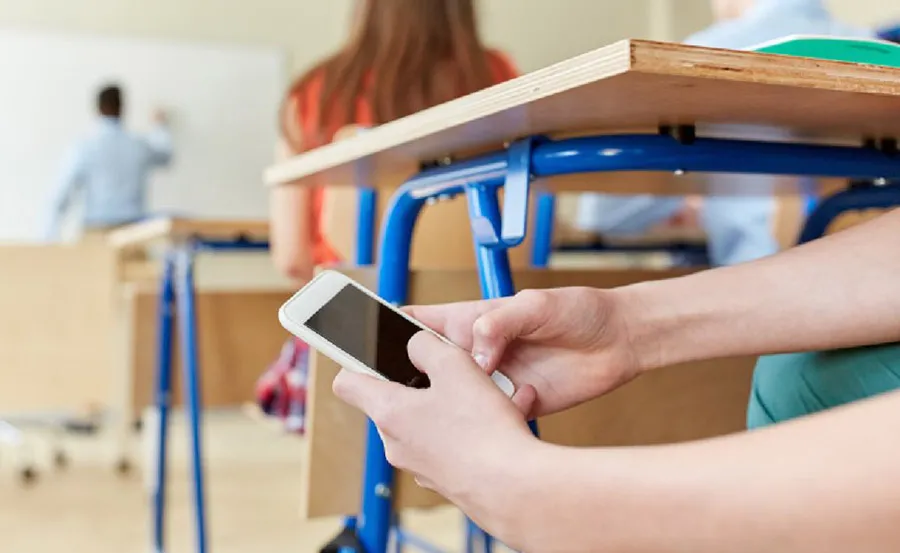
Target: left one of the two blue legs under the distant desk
166 313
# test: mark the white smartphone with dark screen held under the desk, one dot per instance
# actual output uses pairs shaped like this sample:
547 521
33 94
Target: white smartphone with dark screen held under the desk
360 331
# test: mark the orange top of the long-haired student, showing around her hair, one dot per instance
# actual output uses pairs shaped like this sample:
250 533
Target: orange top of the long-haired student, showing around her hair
307 101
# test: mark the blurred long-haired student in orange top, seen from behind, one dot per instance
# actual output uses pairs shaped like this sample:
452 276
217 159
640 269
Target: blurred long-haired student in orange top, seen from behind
403 56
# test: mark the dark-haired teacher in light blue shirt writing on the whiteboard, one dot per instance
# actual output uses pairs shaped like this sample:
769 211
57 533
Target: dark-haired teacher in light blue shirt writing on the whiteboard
111 167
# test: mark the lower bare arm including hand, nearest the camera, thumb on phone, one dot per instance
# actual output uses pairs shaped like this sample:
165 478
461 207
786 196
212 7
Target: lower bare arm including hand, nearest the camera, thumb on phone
815 485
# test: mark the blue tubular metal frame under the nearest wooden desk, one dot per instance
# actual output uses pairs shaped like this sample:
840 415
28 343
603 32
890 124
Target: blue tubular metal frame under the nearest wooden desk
494 233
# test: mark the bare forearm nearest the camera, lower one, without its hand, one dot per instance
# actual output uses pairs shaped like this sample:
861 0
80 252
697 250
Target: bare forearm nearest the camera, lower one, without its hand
822 484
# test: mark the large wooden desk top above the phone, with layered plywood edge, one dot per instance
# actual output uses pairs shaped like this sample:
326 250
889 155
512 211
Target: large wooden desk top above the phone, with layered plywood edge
629 84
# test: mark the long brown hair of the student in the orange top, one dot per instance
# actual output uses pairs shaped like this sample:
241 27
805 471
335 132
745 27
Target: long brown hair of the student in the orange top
405 56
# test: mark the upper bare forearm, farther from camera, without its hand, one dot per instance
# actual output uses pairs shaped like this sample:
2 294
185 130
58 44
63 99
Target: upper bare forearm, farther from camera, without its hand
837 292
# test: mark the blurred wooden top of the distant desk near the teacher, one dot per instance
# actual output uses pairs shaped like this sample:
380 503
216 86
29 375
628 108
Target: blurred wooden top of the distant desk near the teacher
173 230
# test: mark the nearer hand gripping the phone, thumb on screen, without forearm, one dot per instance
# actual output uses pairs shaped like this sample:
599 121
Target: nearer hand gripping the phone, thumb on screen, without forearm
461 437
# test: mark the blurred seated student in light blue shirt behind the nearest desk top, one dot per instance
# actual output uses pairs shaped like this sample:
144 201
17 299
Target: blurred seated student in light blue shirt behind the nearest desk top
738 228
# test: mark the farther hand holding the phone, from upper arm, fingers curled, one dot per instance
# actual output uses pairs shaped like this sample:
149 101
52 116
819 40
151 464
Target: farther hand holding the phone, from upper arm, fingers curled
570 344
